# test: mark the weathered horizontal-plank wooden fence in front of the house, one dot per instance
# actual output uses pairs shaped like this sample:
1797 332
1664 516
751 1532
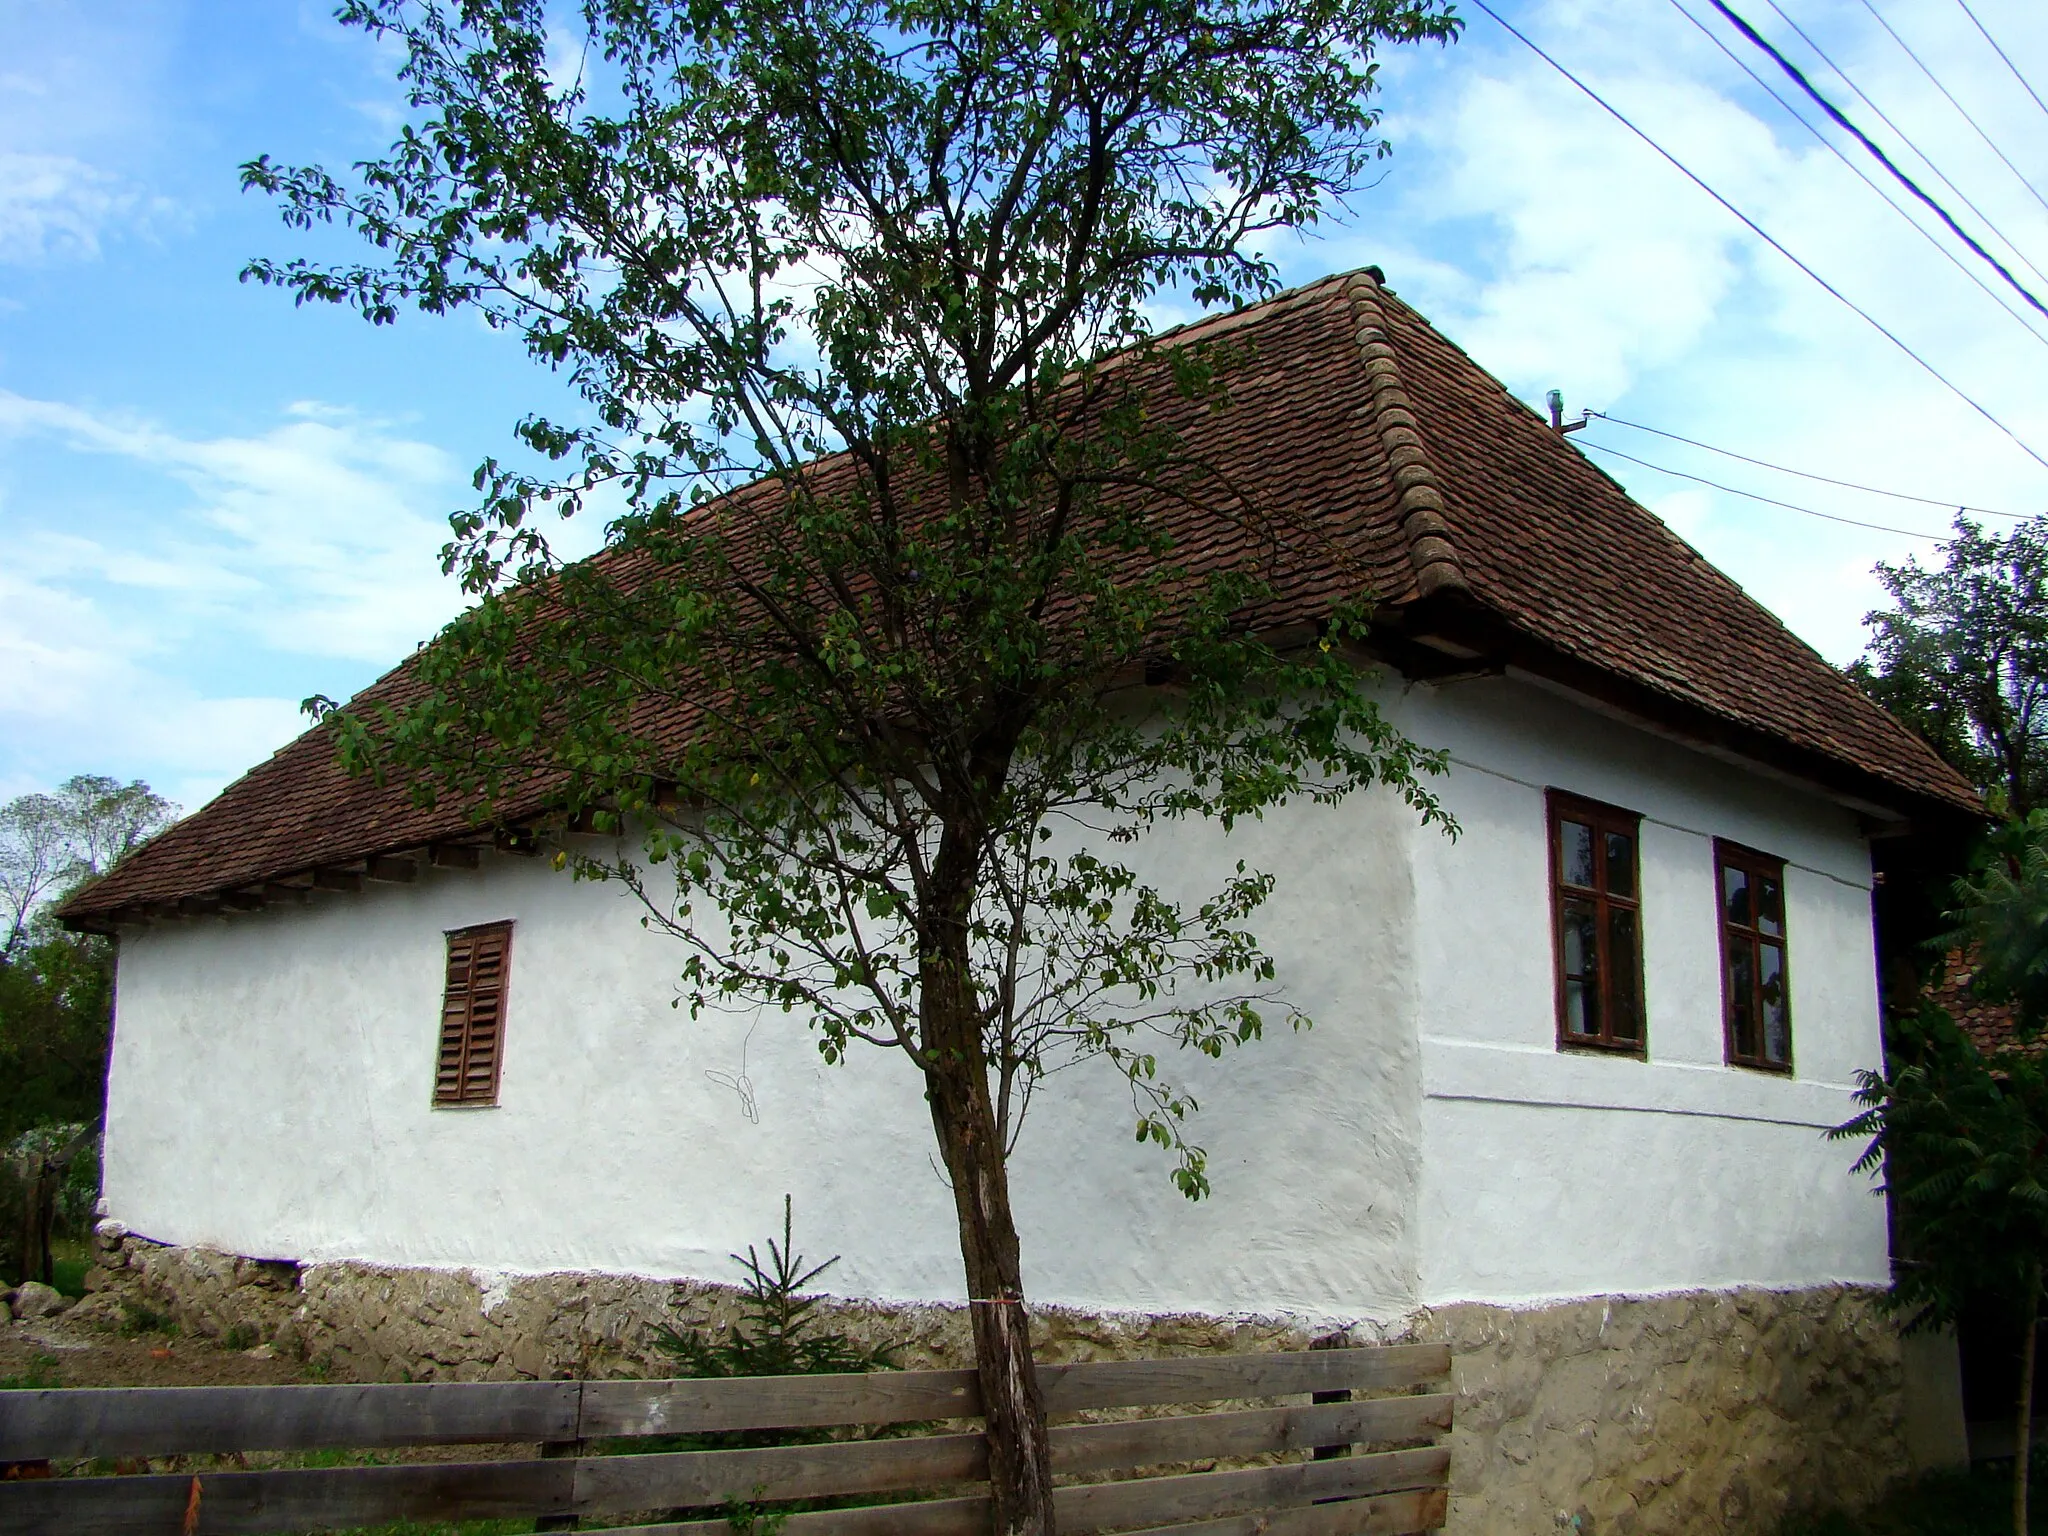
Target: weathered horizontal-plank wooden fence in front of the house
1338 1492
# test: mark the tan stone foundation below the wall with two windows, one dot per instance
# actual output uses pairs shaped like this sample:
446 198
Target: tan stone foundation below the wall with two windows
1705 1412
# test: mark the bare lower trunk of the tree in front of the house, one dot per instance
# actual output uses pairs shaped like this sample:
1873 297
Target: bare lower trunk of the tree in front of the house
1021 1455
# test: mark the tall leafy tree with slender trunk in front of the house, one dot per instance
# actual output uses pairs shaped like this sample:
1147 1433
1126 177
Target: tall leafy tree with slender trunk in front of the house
945 658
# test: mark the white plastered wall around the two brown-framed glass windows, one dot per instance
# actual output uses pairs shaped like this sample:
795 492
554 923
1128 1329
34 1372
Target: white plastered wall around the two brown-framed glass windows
1558 1175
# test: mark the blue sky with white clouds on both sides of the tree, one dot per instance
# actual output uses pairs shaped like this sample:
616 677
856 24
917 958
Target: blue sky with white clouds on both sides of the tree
214 505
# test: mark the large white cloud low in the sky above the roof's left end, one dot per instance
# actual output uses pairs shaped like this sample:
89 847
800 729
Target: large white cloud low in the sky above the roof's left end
130 632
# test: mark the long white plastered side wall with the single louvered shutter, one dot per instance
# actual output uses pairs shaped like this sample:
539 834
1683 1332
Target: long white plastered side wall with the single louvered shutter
271 1078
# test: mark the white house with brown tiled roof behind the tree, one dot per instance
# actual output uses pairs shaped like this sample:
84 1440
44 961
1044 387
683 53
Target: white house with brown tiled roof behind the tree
1564 1101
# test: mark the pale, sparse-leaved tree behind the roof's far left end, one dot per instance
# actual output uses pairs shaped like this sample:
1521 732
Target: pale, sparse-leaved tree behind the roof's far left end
54 843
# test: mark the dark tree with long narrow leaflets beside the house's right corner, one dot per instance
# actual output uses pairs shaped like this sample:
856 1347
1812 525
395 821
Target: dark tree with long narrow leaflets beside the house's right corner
1963 1140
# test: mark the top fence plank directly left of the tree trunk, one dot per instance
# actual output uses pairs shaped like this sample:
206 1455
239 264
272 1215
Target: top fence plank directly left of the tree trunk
654 1408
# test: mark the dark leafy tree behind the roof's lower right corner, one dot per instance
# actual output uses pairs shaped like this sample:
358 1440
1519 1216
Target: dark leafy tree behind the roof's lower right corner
1963 658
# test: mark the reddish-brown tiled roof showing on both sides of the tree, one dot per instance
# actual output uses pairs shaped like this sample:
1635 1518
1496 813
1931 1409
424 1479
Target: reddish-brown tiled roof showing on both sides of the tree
1351 411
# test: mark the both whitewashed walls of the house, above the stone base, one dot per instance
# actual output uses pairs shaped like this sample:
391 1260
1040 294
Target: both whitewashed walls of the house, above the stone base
271 1078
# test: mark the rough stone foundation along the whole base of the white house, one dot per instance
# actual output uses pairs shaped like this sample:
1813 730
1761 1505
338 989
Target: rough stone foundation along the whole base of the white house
1672 1416
